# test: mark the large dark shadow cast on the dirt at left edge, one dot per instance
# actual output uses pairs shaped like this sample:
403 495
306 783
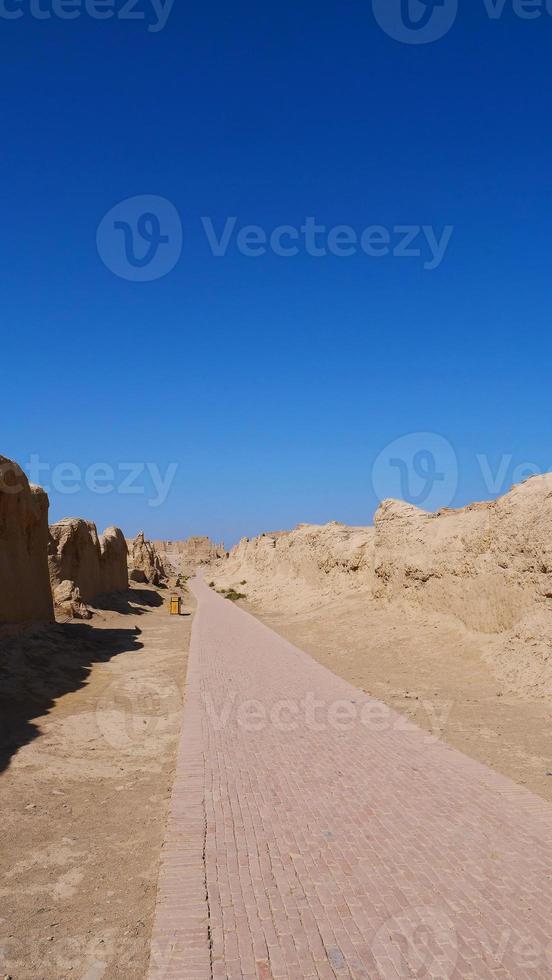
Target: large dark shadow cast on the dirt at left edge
41 664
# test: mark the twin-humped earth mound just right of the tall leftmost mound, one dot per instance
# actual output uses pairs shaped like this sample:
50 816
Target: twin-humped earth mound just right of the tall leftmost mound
84 566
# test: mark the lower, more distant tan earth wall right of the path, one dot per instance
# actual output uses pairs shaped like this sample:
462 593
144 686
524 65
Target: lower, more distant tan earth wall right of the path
300 567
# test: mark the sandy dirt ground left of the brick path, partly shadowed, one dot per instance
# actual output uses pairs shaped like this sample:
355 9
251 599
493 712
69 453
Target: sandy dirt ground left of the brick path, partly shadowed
90 718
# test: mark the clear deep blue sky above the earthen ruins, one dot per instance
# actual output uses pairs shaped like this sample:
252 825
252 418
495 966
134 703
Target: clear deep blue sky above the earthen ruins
273 382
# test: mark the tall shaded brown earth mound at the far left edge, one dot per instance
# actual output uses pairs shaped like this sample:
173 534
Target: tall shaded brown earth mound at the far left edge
24 582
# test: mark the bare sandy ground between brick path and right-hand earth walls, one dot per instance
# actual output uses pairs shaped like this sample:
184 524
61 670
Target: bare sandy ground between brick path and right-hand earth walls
432 669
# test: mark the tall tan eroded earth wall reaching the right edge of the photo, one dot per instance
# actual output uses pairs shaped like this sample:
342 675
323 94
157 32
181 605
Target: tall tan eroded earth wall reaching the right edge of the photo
488 564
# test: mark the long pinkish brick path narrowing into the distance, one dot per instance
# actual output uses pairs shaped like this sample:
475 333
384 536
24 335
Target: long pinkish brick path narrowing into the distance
336 840
